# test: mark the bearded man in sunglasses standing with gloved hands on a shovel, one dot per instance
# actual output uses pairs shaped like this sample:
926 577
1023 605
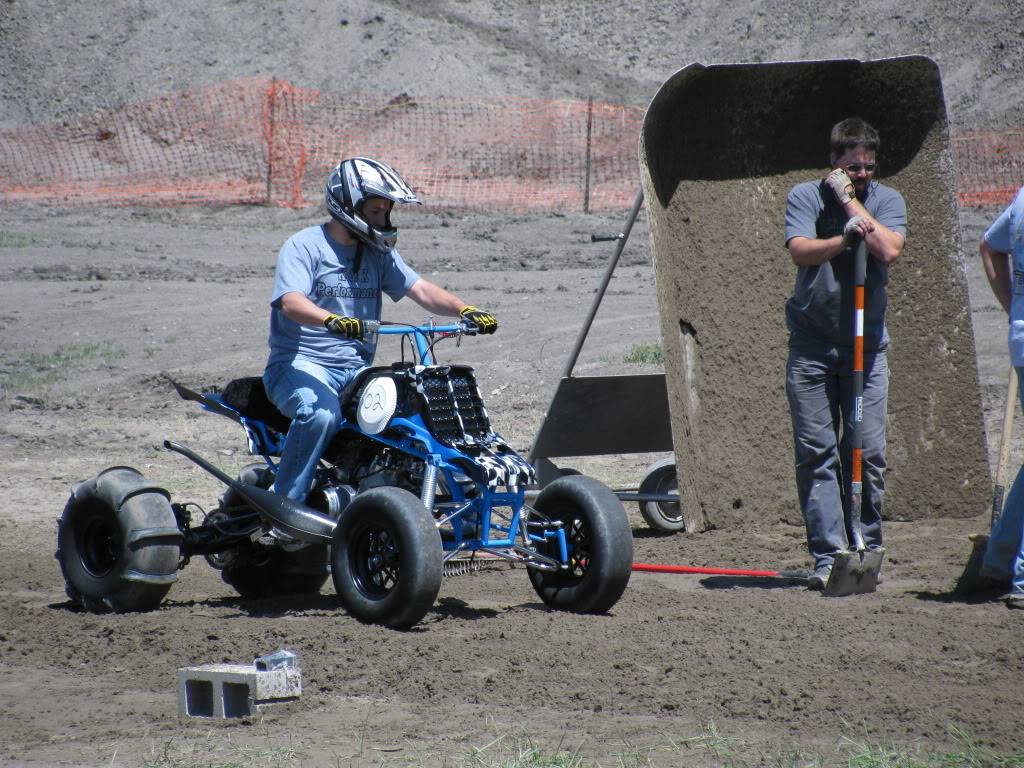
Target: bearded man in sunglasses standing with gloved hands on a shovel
825 220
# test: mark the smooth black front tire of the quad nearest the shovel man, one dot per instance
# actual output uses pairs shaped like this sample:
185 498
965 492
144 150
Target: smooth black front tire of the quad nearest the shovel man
600 542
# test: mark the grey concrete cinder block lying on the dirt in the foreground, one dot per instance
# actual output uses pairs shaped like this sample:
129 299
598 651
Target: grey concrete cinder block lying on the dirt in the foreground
234 691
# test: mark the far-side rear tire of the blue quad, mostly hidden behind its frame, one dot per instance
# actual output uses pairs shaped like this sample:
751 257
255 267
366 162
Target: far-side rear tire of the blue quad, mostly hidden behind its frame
259 572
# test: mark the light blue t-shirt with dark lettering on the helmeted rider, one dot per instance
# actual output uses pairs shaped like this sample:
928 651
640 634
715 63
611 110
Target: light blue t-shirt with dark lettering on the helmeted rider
314 265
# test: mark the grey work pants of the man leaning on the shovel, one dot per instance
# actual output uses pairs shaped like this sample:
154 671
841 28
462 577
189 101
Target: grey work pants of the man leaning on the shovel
820 387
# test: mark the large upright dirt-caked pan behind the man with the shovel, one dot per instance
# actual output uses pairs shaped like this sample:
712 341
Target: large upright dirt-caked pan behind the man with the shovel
721 146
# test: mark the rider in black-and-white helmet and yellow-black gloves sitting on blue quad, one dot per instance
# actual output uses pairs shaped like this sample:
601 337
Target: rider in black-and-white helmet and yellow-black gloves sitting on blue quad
330 280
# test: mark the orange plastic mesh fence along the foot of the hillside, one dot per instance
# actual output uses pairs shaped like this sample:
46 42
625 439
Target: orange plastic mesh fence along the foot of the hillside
259 141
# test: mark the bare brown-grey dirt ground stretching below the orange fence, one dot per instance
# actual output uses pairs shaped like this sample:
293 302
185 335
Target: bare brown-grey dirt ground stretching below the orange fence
97 305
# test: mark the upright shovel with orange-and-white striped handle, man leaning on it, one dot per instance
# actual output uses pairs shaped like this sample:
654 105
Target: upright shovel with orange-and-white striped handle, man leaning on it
857 570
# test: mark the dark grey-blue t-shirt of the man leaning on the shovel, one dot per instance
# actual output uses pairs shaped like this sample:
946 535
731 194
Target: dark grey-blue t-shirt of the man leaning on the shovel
821 311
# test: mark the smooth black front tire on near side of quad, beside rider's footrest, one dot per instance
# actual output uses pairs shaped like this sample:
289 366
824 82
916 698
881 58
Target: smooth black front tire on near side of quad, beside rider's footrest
387 559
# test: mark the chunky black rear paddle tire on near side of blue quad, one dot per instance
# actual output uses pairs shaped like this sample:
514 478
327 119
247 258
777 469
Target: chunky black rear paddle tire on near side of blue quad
118 543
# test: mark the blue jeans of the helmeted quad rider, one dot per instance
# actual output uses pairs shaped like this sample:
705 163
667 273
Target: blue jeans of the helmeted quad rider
308 394
